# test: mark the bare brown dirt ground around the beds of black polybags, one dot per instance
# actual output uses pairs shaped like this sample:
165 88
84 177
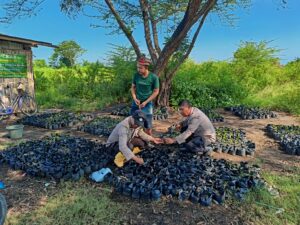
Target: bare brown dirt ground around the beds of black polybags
24 193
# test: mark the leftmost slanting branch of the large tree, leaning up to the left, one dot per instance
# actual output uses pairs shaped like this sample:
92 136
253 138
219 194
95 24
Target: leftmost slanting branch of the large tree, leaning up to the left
124 28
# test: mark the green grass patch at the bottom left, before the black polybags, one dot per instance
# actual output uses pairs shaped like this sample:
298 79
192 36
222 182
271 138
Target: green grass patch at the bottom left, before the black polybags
75 204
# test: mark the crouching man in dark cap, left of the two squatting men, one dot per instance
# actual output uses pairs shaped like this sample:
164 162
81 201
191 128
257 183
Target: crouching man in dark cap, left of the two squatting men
129 134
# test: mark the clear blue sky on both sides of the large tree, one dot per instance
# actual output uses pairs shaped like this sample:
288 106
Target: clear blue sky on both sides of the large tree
265 20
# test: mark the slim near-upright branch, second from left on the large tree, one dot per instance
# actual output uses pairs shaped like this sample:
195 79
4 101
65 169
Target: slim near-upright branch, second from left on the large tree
145 13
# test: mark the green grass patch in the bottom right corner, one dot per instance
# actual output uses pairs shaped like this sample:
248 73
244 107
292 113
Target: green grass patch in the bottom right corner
263 208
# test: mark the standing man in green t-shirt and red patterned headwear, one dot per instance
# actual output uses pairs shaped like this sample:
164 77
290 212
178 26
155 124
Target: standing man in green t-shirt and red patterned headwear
144 89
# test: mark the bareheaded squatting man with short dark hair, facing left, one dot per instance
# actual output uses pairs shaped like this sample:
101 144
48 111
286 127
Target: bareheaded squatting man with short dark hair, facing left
197 132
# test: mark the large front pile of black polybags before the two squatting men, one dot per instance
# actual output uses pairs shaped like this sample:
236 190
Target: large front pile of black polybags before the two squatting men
186 176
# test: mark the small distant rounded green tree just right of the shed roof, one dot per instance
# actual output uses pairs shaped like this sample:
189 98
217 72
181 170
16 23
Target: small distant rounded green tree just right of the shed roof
66 54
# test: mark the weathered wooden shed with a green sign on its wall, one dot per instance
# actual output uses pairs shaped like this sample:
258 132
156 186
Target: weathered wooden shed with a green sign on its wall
16 63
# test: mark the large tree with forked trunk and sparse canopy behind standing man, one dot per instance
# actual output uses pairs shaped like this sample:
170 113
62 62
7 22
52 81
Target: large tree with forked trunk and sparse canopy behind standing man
171 27
